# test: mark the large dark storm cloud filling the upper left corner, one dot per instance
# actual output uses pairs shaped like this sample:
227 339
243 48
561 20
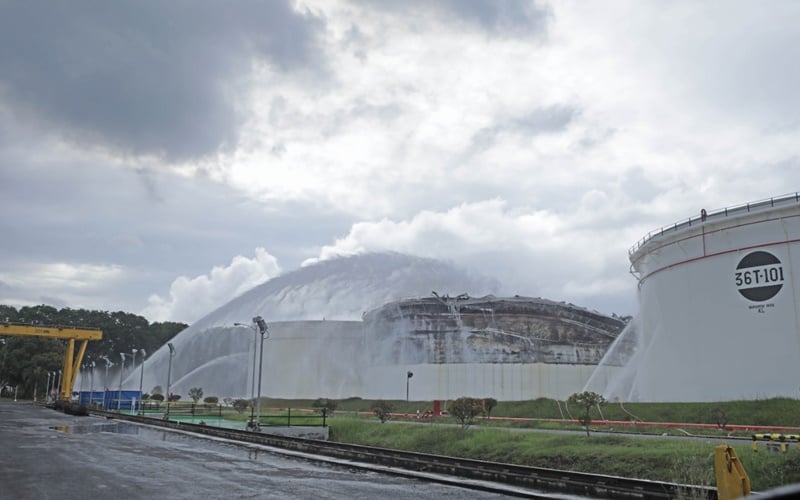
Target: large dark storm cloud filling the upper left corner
145 77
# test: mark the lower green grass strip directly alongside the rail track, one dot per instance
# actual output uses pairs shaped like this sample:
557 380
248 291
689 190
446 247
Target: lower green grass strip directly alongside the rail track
673 460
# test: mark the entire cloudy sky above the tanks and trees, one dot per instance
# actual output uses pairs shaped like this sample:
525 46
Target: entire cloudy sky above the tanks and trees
163 157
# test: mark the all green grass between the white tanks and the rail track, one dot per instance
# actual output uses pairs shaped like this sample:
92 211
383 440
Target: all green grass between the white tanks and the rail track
678 460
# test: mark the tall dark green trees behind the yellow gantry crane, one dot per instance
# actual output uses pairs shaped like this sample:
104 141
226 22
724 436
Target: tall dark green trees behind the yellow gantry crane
25 361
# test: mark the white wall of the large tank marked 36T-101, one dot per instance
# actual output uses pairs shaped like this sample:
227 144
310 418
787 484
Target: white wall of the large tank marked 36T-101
718 306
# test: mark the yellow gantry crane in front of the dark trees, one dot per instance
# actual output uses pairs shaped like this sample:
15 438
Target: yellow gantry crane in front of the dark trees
72 360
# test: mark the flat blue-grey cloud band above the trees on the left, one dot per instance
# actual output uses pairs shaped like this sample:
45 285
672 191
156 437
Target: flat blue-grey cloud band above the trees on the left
90 214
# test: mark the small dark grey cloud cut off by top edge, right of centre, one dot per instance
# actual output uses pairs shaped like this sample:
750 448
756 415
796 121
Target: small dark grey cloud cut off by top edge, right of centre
496 17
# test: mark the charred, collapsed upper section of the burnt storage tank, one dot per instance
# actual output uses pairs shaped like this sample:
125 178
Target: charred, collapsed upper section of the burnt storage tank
489 329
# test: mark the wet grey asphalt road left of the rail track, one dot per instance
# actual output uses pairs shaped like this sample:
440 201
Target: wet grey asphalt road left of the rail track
45 454
